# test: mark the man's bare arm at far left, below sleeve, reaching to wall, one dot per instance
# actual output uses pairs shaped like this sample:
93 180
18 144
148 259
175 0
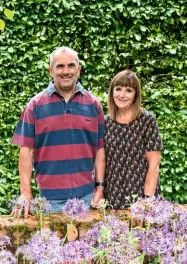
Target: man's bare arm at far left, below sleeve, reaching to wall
25 171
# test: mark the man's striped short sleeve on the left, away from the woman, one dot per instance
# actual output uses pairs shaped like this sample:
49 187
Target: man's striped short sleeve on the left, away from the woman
24 134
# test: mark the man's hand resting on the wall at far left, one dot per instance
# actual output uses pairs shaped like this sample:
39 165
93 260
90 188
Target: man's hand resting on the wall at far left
22 204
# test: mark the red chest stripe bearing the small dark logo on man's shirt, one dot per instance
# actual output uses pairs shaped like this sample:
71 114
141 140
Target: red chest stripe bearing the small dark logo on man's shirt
66 121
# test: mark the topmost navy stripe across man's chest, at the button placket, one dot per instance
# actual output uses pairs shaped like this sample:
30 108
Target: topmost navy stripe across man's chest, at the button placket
59 108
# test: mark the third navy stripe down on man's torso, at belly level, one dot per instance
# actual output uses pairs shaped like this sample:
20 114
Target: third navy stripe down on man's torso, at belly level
63 166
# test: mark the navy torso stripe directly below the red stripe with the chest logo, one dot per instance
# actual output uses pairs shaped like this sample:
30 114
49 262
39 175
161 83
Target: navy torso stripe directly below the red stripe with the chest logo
66 137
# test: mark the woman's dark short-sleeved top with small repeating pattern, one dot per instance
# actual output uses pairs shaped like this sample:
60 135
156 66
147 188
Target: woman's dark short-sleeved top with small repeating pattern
126 164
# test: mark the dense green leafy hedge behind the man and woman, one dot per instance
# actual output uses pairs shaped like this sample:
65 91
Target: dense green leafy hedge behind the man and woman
143 35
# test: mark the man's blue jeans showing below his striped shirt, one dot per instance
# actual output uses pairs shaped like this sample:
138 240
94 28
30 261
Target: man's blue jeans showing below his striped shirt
57 205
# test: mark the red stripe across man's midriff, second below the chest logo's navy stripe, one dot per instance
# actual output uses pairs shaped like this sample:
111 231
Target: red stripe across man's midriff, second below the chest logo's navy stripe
65 152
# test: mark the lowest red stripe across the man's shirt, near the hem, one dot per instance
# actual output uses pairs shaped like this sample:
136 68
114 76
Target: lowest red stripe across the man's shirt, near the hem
64 181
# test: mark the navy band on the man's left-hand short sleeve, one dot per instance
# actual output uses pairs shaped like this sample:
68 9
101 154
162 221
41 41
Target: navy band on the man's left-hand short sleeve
24 129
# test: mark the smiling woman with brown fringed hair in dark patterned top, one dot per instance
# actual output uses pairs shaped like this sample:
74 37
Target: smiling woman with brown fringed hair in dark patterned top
132 143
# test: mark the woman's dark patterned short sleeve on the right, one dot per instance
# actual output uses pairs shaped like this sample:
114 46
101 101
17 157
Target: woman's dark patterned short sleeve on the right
152 140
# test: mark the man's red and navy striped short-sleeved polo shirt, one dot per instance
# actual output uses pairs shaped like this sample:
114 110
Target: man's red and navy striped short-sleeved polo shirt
65 138
